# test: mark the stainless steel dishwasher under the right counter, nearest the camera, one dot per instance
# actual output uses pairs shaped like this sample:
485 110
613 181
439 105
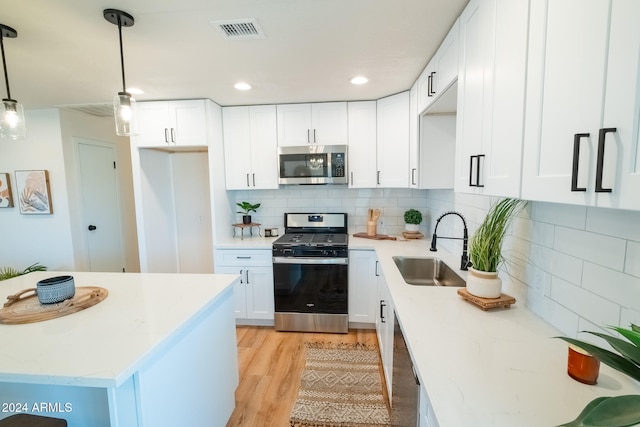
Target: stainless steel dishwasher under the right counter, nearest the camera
405 387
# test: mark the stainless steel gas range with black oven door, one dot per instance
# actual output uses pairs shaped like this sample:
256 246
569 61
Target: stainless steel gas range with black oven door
310 272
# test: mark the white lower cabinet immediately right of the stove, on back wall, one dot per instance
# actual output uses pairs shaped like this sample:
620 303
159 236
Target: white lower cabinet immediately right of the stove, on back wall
363 286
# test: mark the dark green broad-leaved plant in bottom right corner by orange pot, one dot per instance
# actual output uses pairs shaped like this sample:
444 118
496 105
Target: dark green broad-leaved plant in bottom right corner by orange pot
618 411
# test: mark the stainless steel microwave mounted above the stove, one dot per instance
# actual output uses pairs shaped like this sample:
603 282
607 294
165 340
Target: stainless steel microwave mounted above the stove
313 164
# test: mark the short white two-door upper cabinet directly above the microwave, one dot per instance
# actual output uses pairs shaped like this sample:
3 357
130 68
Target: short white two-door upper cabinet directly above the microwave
322 123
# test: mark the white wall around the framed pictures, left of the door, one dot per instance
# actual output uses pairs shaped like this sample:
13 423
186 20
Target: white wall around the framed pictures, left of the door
46 239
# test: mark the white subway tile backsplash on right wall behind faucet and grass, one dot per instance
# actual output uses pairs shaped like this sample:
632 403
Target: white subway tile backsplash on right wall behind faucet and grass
576 267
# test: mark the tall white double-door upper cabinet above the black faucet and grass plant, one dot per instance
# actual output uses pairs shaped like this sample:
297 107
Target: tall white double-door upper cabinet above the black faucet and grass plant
491 91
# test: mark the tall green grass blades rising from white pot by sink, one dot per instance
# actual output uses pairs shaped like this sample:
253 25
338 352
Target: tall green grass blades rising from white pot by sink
485 246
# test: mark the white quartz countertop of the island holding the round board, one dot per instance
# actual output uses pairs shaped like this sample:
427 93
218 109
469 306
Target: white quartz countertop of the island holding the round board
103 345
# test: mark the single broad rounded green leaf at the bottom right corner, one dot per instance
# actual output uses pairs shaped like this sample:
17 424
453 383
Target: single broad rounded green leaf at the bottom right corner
619 411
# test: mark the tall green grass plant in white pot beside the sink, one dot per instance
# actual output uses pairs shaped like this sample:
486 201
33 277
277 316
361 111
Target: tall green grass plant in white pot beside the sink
485 249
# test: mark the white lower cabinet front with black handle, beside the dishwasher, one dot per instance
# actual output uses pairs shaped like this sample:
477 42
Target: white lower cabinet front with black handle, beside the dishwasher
384 330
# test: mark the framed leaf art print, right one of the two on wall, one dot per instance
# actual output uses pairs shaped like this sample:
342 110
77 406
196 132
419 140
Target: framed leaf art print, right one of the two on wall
33 194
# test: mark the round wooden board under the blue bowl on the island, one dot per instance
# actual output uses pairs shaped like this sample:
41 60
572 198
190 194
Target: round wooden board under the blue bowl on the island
20 309
